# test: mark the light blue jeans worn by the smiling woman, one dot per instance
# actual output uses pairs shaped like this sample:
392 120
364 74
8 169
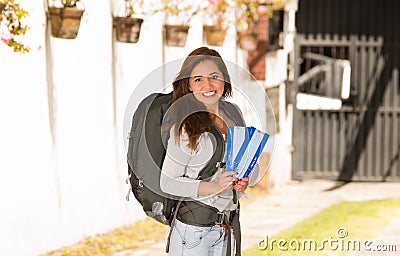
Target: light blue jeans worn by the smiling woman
188 240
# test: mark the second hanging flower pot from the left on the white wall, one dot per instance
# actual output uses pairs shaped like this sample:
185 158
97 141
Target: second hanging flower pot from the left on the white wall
128 29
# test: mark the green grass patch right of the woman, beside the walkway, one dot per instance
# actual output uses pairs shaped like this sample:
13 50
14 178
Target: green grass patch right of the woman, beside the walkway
361 220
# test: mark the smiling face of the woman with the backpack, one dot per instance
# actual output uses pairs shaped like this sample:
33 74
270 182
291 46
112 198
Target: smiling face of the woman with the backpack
207 83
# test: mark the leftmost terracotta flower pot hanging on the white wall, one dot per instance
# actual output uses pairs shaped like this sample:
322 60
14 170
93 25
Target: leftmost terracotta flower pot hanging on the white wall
65 22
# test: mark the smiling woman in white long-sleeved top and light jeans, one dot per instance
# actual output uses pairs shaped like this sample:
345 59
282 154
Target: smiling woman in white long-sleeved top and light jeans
207 219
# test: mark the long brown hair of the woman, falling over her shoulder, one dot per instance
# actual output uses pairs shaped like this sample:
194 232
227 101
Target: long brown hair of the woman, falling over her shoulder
189 113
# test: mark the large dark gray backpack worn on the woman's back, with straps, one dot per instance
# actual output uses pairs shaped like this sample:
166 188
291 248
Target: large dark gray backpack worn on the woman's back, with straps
146 154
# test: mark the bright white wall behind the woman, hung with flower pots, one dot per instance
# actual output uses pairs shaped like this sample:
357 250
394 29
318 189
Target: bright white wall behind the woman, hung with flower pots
62 159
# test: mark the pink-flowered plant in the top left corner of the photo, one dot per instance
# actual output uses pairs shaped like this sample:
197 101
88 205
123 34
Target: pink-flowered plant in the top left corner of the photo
12 28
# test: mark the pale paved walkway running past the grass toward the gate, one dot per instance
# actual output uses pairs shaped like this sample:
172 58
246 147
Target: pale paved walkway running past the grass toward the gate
295 201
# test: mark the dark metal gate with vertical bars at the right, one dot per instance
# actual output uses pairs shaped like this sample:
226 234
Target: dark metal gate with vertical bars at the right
361 140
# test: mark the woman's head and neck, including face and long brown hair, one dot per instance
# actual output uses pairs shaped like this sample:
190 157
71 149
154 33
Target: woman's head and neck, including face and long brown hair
204 77
